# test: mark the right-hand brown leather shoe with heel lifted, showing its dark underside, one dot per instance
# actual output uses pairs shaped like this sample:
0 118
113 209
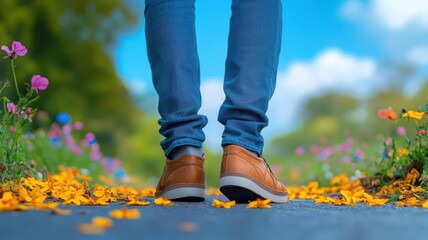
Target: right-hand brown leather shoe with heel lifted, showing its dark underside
245 177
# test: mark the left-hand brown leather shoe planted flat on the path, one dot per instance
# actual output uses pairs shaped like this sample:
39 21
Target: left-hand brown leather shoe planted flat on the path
183 179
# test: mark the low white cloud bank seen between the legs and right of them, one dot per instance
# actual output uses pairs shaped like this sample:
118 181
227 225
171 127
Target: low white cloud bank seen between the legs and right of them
331 70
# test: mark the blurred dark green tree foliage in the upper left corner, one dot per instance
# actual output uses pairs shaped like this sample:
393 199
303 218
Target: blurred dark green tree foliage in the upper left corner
69 43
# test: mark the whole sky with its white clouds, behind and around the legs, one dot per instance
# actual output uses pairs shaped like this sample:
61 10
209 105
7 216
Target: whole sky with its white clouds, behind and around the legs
331 45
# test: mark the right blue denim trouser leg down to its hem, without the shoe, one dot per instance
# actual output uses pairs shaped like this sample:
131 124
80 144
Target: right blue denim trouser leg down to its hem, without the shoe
251 66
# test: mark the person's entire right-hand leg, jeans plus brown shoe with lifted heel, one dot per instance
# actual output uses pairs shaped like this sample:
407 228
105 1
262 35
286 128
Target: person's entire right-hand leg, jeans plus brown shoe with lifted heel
251 67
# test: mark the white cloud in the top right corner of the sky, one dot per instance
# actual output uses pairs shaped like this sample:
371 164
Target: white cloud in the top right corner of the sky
391 14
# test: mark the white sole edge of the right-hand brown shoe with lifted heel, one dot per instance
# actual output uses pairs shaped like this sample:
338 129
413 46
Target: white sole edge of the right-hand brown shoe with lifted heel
236 182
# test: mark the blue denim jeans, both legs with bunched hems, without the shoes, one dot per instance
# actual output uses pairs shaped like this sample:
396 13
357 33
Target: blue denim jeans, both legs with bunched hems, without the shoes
249 82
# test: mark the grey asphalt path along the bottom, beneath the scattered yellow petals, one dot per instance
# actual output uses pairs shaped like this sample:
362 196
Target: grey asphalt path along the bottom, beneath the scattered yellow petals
294 220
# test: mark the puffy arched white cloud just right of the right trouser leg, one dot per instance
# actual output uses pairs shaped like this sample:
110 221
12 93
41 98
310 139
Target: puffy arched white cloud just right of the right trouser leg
330 70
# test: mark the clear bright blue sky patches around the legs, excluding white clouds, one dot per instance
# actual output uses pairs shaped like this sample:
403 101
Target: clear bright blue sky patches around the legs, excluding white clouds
308 26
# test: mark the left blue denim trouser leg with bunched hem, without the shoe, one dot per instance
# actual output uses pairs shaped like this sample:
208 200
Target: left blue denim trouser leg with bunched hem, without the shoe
171 47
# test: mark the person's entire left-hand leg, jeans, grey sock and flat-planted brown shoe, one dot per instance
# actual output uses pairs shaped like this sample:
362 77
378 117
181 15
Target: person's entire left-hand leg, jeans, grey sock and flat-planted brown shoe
171 47
